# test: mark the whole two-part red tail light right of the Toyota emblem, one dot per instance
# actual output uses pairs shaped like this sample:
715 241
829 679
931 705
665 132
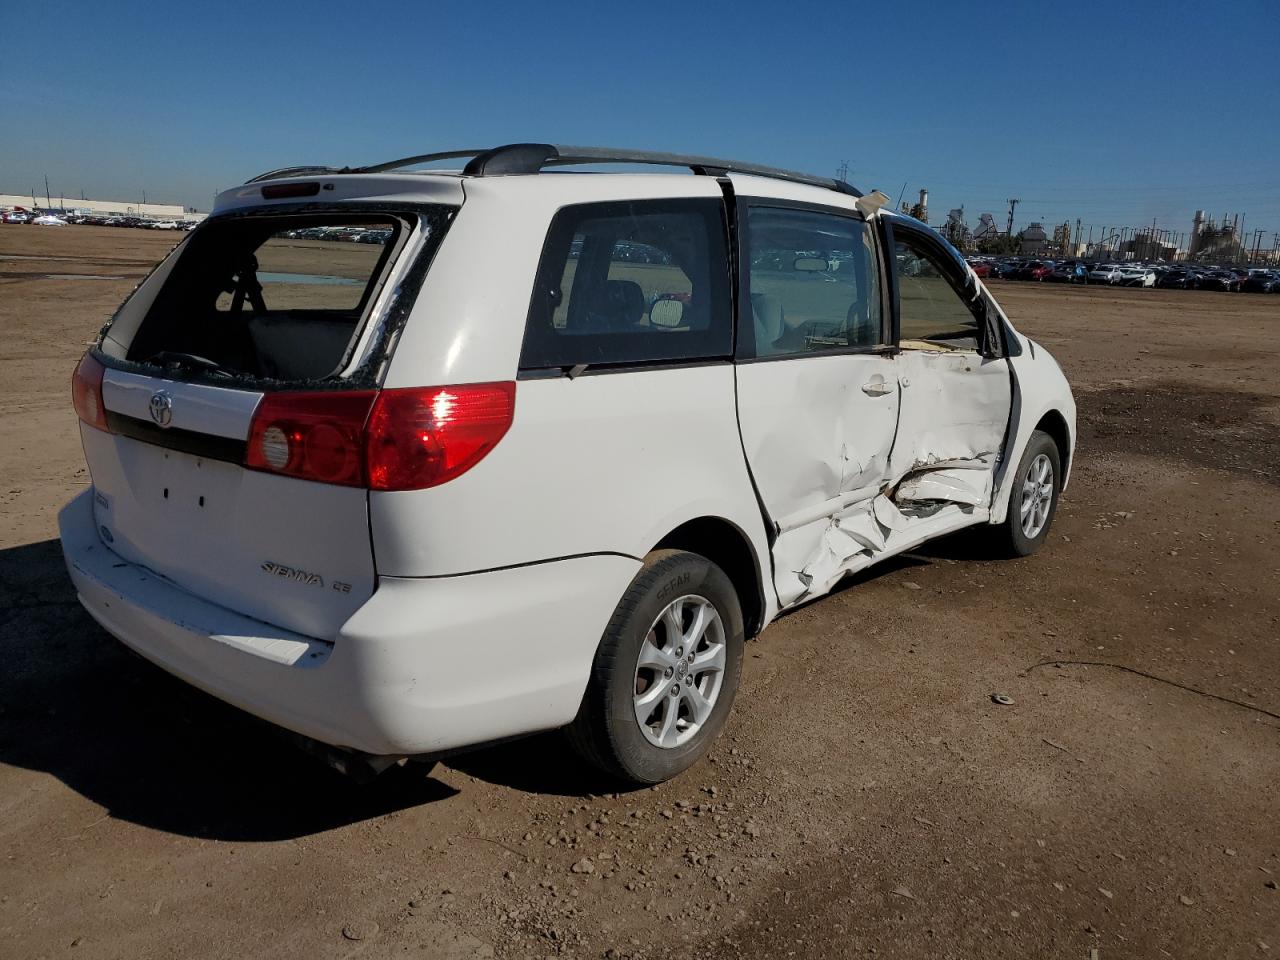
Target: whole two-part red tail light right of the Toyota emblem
404 440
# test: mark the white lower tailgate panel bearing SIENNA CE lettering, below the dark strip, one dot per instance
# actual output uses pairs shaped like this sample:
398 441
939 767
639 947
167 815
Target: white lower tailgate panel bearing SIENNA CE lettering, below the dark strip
216 550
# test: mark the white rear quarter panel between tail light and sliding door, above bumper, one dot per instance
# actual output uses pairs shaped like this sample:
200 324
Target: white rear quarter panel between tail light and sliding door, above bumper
606 464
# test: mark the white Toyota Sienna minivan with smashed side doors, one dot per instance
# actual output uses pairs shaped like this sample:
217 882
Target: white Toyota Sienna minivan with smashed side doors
543 449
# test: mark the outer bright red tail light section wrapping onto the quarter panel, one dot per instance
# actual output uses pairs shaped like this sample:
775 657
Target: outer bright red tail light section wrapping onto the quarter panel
419 438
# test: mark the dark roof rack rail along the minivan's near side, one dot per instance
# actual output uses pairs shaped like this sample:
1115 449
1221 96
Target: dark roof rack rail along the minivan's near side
515 159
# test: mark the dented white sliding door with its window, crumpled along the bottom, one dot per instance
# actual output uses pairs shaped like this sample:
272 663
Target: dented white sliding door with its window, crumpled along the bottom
817 392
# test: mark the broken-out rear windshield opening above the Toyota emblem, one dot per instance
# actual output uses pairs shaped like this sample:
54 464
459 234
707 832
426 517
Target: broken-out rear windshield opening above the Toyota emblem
278 299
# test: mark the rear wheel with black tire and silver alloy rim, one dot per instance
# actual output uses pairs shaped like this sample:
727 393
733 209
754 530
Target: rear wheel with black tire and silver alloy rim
609 730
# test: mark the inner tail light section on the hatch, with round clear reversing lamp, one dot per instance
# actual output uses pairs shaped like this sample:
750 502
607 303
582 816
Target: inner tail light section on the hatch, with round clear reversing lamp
312 436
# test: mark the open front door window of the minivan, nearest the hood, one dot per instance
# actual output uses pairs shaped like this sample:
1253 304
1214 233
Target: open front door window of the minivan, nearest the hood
931 313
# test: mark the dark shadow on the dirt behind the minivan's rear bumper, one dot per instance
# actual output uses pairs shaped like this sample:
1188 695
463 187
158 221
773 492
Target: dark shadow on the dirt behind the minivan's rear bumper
148 748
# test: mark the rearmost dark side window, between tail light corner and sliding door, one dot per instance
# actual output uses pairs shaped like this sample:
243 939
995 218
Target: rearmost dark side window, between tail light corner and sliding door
642 282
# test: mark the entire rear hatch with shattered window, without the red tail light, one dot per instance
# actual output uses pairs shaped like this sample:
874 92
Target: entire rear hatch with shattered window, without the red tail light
252 304
